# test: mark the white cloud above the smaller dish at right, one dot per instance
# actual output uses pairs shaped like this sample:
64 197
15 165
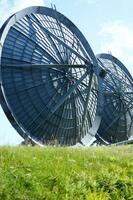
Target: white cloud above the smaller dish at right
118 38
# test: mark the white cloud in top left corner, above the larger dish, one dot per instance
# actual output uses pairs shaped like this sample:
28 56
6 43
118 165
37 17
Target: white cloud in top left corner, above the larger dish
8 7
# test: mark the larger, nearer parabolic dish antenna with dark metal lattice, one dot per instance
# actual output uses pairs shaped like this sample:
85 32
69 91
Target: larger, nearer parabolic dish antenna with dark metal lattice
48 84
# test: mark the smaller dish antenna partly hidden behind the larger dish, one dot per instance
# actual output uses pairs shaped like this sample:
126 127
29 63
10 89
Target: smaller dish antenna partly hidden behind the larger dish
117 90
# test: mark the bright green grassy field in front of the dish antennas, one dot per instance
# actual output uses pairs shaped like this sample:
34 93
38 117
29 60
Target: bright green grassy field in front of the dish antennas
33 173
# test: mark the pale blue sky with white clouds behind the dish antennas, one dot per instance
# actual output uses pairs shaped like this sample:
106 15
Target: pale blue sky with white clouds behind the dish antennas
107 25
